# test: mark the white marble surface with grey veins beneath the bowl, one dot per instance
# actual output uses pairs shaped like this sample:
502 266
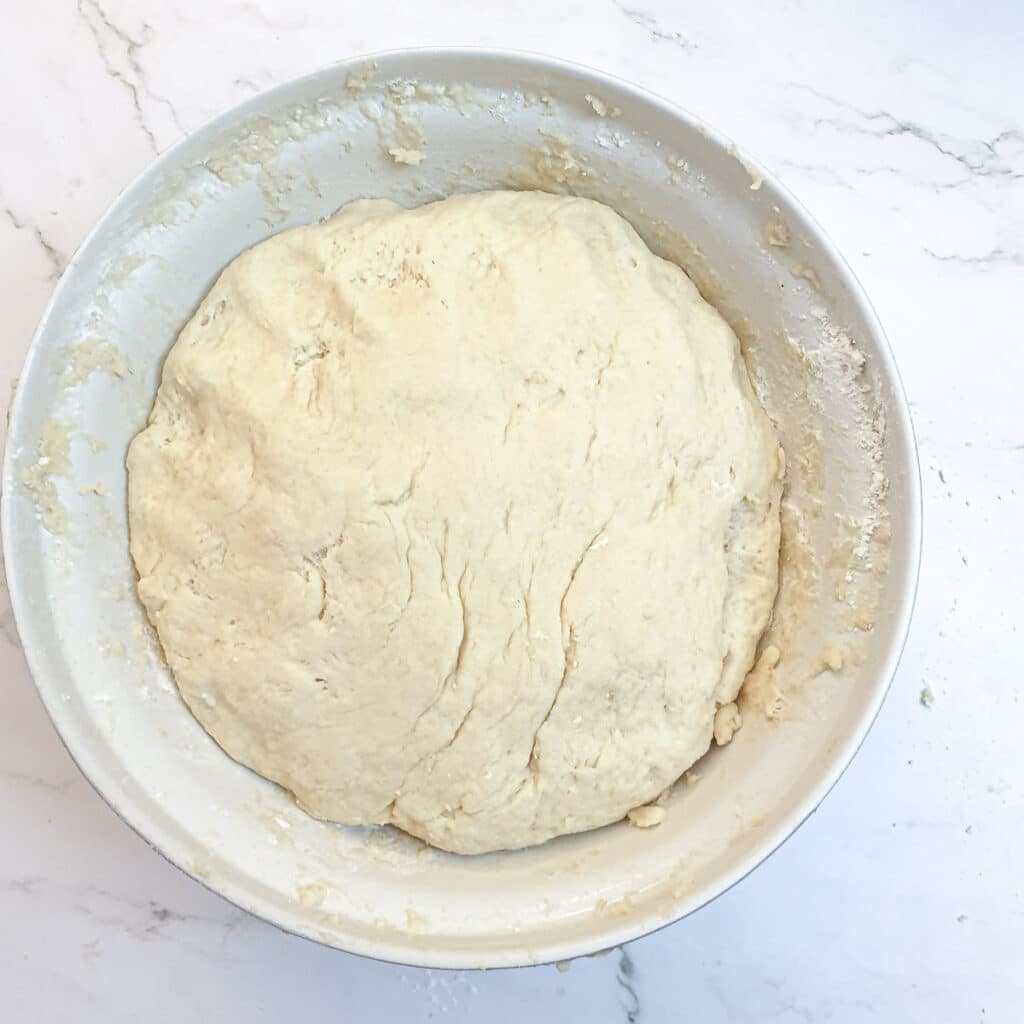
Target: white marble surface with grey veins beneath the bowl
901 127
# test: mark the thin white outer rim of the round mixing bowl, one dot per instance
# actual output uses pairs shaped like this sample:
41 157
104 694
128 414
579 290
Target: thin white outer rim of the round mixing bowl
613 933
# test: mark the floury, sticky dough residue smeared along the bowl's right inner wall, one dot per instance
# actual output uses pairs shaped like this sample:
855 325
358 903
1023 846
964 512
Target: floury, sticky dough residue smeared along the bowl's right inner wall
846 557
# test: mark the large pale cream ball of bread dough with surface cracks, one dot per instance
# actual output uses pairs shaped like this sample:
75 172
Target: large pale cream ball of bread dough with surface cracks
463 519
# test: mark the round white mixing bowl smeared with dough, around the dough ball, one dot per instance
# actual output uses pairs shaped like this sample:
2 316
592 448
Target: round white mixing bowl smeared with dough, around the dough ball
481 120
